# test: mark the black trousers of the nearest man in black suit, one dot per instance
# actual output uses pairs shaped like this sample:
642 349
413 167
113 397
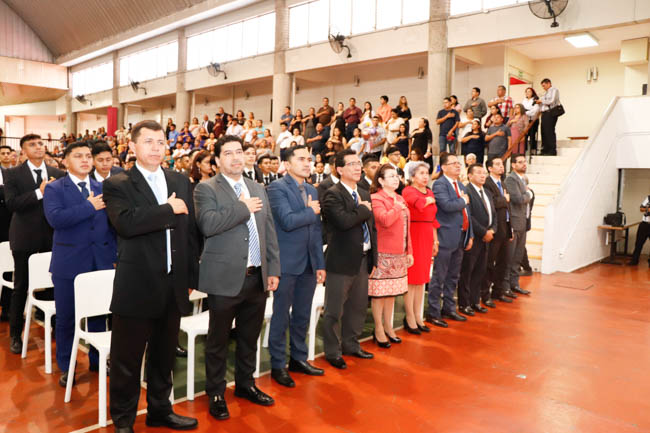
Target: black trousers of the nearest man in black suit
128 340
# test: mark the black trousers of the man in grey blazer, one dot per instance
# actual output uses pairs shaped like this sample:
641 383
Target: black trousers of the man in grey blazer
247 309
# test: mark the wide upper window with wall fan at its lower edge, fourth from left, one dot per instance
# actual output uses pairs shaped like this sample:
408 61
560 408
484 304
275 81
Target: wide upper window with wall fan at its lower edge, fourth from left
313 21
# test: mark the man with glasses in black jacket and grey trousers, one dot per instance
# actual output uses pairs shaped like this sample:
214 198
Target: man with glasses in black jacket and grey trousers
350 257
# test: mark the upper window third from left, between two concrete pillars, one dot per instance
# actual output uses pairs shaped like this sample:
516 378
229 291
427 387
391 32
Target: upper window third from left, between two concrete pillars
237 40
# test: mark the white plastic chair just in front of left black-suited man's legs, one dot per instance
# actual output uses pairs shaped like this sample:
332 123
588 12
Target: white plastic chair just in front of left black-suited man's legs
40 278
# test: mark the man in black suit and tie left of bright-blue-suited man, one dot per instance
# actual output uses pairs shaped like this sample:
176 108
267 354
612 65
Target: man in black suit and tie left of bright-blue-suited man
29 231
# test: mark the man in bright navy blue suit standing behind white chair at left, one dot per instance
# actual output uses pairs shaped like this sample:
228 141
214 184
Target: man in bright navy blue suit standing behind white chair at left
83 242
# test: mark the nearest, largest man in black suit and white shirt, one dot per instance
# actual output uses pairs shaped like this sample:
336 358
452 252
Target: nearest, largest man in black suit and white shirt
157 262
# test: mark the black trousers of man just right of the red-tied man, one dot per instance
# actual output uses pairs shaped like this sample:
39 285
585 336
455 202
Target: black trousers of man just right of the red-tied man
471 287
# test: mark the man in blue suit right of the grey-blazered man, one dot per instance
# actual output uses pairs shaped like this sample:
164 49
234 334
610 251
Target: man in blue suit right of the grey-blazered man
296 212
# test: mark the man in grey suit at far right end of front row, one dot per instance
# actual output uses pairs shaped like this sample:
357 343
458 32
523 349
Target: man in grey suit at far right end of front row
520 197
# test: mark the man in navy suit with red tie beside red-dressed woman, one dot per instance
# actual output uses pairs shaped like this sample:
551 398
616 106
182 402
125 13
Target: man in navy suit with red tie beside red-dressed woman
455 235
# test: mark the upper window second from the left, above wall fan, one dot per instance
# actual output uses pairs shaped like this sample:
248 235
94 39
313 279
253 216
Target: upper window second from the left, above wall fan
149 64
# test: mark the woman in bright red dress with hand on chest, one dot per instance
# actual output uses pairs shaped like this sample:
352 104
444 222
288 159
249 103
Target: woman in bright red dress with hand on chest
424 235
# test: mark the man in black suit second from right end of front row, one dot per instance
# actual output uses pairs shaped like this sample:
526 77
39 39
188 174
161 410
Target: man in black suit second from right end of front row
498 250
